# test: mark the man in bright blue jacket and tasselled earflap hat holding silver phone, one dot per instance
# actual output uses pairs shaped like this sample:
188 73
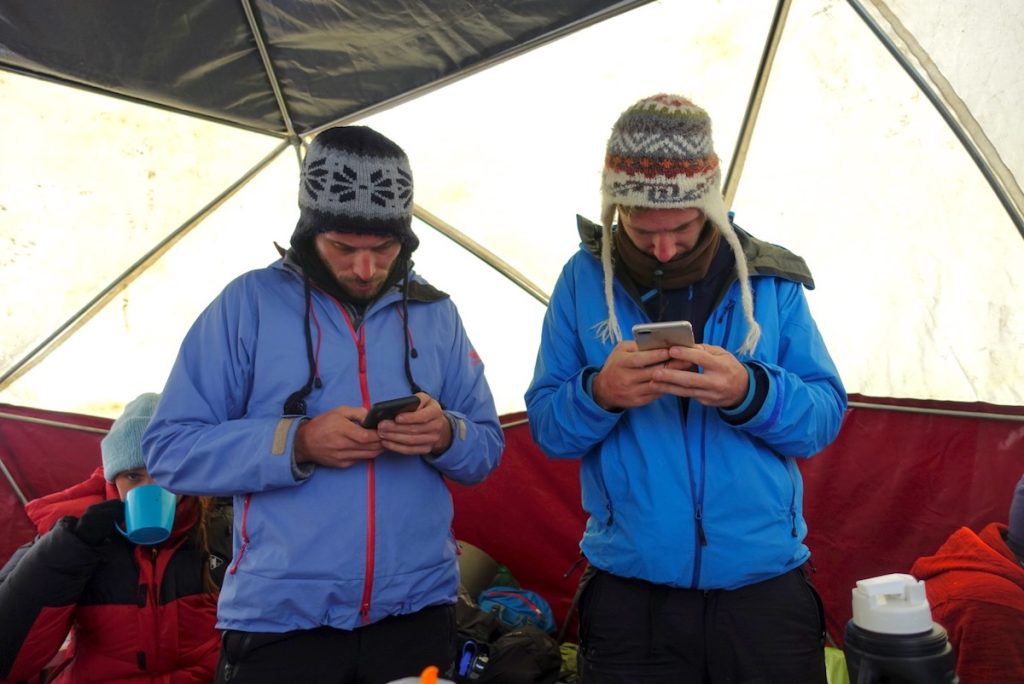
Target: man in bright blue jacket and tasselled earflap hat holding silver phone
688 453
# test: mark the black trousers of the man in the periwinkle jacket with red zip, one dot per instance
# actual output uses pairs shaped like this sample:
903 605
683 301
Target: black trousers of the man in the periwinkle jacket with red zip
393 649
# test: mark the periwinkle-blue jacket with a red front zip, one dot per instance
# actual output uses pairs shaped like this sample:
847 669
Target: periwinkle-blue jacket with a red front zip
329 547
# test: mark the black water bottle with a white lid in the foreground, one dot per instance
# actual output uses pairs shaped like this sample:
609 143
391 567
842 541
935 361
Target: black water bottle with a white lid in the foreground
892 639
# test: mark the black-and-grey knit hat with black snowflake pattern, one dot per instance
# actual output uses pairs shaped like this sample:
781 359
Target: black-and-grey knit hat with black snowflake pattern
356 181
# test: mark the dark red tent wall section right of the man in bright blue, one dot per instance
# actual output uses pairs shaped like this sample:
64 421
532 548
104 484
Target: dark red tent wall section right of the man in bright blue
897 484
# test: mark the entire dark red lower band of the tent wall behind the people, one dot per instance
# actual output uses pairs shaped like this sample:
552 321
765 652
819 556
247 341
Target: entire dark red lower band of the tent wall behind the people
891 489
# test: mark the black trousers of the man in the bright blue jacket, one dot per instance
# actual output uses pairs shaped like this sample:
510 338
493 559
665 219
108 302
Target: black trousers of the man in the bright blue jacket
636 632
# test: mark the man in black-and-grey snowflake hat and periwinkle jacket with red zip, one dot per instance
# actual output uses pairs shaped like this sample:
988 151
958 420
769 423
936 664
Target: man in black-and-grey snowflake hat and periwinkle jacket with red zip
346 569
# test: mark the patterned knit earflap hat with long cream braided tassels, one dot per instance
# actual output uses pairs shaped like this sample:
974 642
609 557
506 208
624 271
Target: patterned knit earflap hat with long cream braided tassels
661 156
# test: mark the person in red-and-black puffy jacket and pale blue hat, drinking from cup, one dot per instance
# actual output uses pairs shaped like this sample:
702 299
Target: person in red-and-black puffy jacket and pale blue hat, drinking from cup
88 605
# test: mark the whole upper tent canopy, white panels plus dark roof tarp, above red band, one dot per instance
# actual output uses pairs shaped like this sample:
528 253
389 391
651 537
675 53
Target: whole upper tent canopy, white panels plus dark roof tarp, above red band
152 165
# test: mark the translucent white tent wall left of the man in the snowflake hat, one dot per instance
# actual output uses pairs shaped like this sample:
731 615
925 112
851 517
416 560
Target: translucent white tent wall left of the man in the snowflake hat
93 184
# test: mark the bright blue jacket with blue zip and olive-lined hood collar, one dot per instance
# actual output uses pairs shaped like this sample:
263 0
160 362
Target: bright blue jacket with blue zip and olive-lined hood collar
652 484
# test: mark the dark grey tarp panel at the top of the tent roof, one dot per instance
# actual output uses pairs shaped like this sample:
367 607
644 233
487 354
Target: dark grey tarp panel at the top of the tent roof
333 60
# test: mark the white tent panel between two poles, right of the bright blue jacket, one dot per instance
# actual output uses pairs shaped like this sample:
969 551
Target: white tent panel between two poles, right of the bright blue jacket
918 266
